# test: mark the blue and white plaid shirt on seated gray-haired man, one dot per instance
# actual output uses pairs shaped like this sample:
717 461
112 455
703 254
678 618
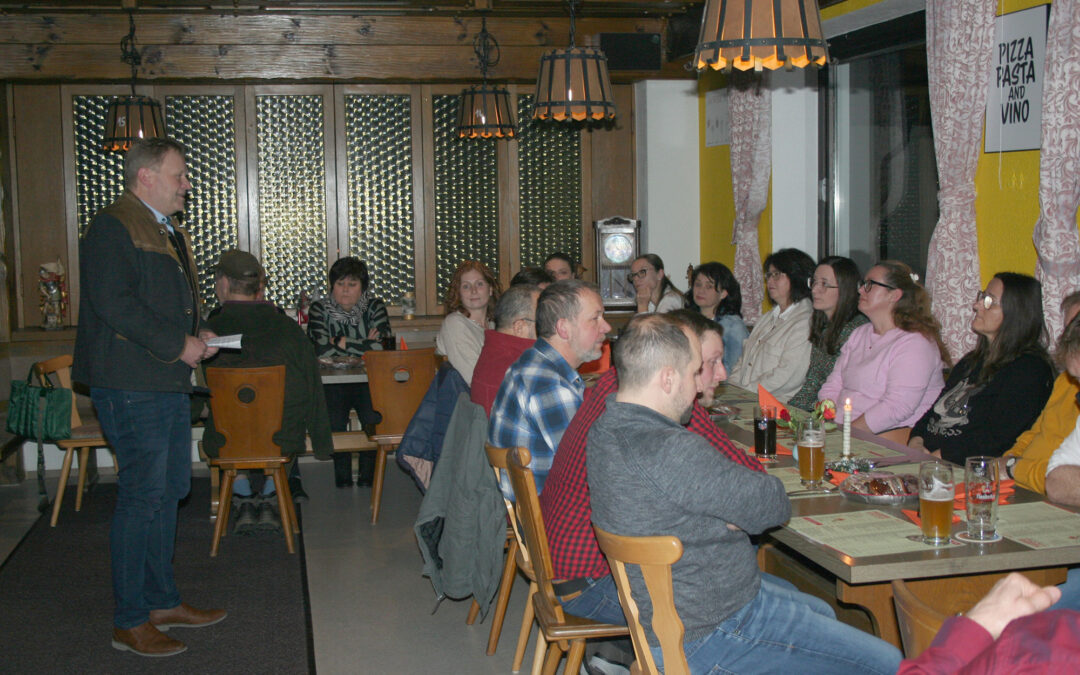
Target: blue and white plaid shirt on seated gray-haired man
535 404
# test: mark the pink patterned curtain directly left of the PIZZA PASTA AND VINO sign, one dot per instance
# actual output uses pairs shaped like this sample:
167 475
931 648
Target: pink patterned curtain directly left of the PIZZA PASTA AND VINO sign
960 50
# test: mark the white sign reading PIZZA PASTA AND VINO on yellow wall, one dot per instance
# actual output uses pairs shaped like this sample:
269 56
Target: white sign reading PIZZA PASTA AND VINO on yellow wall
1015 102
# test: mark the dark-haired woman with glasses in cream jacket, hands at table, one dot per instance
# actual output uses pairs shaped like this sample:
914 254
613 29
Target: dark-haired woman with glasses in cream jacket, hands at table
777 354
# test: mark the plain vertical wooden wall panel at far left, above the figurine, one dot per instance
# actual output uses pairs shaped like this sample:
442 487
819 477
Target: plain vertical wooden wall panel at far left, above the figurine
43 232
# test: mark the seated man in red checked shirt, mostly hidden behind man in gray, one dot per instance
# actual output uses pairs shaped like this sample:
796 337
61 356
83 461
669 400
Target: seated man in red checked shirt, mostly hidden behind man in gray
590 591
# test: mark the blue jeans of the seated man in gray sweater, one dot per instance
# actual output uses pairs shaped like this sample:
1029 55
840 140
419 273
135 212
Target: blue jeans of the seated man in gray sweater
784 630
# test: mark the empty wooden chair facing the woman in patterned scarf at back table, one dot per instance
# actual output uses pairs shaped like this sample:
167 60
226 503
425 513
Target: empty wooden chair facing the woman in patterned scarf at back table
398 382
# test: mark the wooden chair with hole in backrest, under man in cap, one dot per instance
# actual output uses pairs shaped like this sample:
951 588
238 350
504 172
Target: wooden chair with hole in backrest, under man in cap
248 406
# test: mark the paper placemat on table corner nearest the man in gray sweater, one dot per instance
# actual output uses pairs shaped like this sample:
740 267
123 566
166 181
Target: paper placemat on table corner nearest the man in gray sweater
862 534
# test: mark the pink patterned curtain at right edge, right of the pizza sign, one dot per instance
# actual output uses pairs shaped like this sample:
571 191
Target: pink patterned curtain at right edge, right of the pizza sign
1056 233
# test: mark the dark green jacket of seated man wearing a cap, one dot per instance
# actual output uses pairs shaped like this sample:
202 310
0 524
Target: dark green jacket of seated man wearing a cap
271 340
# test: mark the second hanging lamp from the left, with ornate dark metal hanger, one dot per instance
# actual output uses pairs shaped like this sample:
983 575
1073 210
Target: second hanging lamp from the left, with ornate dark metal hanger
484 111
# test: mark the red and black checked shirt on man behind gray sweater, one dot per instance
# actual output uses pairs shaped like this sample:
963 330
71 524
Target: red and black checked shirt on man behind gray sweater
564 502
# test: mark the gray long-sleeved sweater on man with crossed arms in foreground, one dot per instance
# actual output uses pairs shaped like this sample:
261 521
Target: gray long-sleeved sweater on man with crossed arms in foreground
650 476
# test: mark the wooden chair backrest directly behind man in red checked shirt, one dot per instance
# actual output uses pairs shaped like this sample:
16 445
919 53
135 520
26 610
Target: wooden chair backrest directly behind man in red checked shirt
531 523
